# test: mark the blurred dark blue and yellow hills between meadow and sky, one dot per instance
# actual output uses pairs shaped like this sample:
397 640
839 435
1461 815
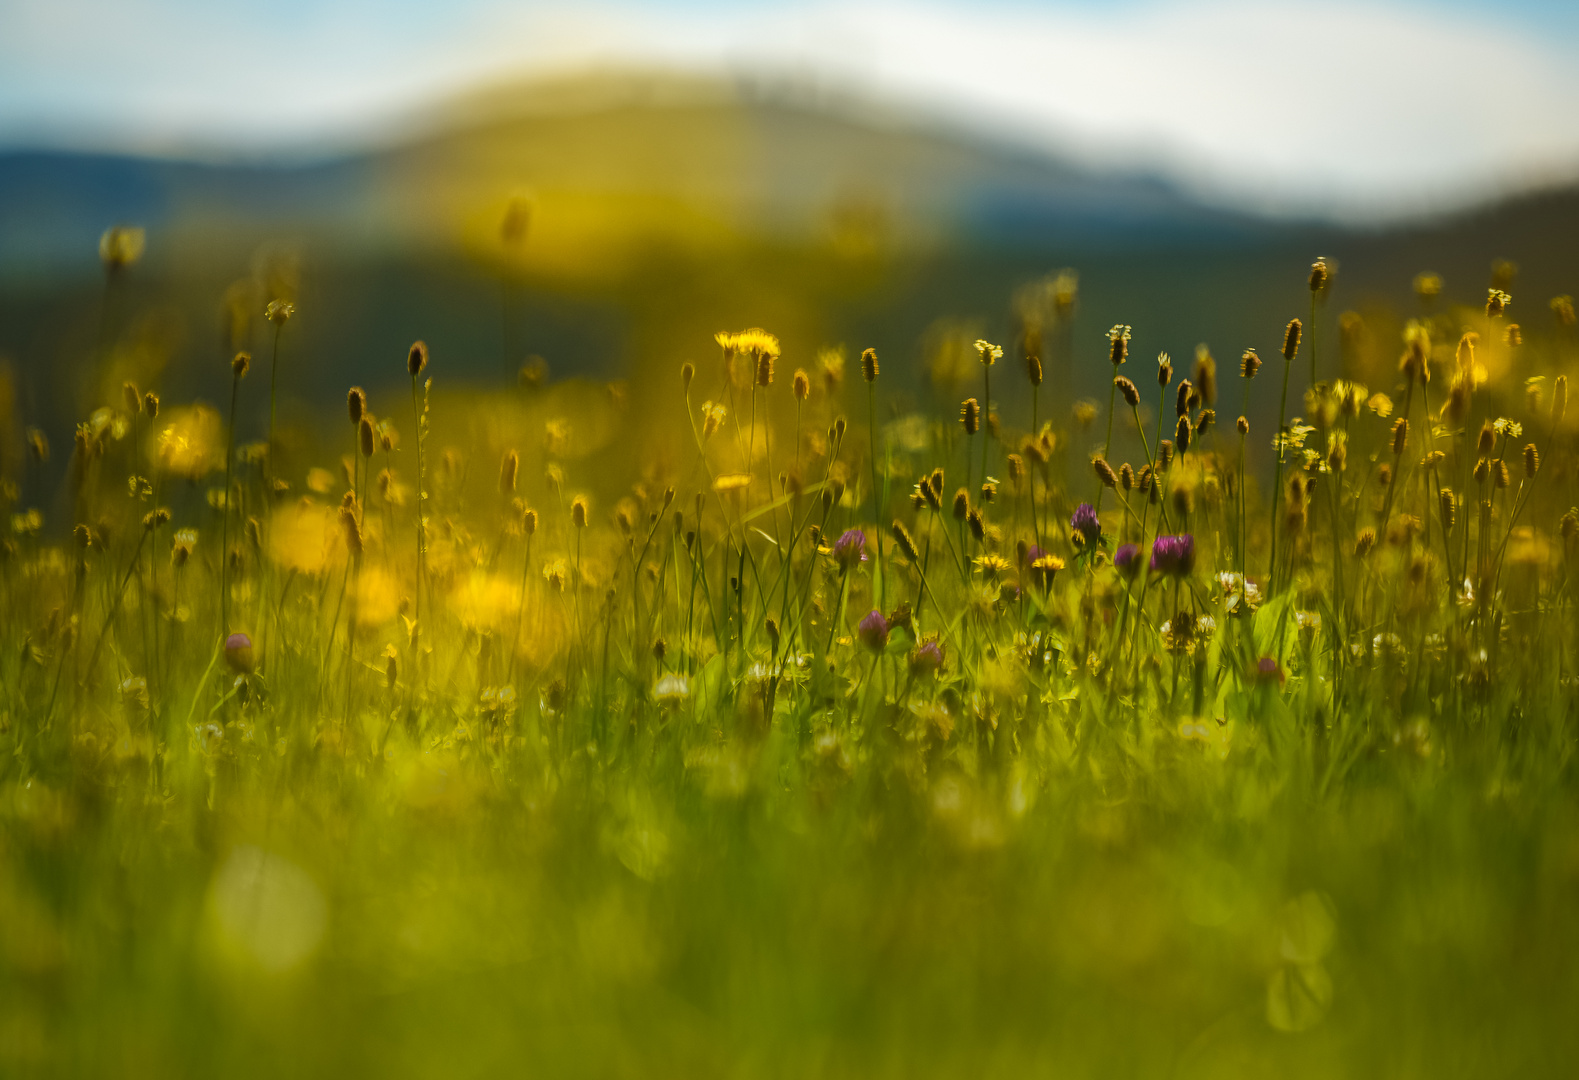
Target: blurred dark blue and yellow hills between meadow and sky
666 209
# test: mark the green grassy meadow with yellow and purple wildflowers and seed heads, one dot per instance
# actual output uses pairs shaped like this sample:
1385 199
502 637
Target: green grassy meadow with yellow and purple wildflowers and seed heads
749 726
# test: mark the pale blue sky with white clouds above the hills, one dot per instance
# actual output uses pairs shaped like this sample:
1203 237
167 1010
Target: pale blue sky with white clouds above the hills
1341 108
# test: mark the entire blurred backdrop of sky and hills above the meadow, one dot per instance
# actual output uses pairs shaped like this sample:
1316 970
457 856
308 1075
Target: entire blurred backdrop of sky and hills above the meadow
904 176
